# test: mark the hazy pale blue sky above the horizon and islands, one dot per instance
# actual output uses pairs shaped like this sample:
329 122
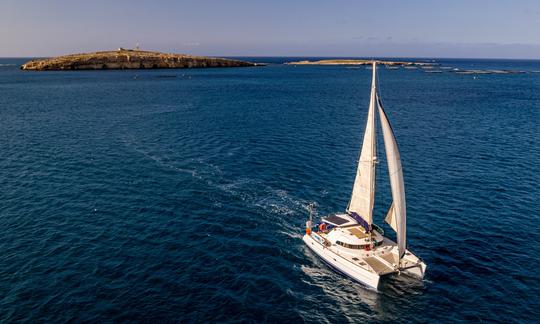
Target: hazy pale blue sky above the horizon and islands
413 28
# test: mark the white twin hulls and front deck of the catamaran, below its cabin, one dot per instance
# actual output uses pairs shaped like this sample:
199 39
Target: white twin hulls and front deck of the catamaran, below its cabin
374 264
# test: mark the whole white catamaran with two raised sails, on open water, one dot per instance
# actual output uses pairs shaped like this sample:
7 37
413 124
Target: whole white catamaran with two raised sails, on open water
351 242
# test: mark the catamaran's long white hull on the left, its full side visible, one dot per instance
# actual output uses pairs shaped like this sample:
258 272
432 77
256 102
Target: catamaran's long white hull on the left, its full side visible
342 265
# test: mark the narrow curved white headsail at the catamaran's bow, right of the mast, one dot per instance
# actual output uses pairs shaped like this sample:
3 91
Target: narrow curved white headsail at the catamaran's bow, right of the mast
397 216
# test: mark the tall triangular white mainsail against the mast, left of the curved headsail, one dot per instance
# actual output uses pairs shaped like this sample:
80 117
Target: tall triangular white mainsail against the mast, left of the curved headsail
363 194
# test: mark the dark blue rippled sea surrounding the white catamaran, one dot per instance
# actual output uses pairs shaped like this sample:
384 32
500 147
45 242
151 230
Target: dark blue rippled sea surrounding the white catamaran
181 195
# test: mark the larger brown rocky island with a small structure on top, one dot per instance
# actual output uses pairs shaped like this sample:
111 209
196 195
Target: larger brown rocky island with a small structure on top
130 59
